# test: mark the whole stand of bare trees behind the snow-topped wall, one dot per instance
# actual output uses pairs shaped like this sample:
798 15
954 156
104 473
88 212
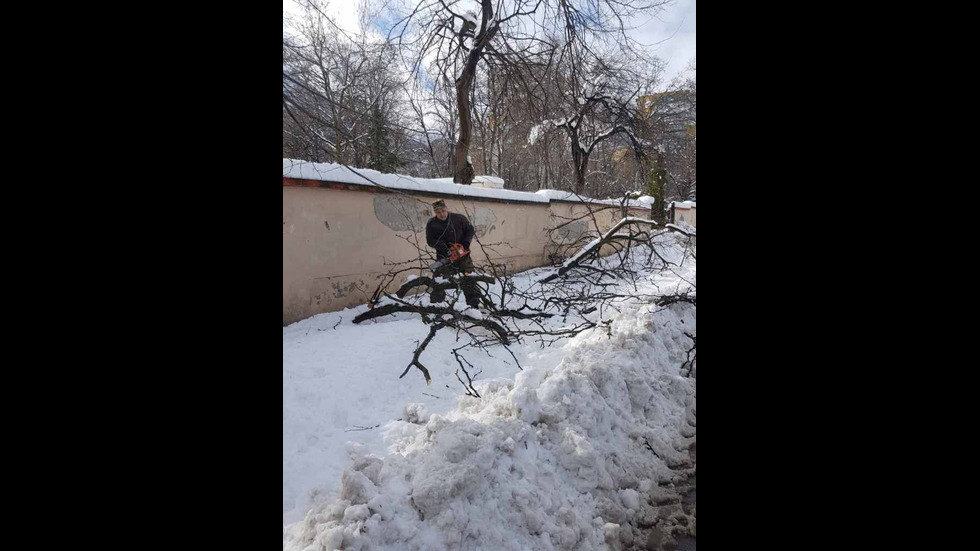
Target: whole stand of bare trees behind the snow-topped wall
561 71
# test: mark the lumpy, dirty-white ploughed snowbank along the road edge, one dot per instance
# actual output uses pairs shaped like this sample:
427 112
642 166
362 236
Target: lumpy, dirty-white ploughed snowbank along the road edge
566 456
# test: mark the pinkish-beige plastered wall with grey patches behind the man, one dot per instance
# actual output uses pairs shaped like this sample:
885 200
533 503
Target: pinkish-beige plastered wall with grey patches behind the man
337 239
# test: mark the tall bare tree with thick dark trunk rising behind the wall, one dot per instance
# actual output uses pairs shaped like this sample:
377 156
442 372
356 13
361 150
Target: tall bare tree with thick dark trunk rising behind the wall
461 36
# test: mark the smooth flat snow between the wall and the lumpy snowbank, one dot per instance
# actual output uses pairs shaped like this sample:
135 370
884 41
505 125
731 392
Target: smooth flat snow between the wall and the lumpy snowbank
340 383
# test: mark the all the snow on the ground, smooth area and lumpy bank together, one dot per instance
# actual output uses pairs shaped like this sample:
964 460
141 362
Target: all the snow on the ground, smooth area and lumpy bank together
567 454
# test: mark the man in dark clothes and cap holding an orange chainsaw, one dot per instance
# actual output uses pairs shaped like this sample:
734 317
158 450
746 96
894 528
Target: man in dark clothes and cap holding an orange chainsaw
443 231
